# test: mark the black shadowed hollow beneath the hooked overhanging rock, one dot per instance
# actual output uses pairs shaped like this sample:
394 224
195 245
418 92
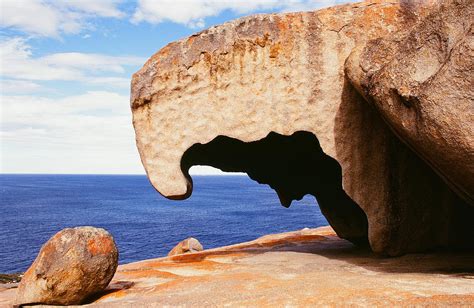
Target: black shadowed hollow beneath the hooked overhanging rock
293 166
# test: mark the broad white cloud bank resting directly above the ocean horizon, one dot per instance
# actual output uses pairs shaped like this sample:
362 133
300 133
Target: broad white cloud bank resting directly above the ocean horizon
91 132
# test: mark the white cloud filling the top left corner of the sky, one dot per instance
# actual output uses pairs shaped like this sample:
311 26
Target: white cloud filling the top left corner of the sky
53 17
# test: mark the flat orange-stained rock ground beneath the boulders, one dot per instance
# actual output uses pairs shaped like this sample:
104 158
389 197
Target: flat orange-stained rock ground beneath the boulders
300 268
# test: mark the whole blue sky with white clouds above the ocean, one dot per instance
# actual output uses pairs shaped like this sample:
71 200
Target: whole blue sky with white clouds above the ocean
65 75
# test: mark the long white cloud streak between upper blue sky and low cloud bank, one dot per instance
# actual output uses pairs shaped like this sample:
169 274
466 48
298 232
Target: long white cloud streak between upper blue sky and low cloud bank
19 63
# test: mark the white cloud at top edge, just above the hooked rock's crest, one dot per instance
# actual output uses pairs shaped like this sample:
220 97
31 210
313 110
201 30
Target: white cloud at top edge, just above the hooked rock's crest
193 13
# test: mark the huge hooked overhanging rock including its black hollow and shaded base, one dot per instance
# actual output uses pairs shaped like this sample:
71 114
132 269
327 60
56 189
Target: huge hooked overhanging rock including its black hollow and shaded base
230 88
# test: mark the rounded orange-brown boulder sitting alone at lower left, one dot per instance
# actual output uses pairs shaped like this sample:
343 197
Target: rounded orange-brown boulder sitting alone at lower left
73 265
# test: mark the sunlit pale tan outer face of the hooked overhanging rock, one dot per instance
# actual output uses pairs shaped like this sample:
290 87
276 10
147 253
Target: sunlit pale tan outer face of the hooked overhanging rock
263 56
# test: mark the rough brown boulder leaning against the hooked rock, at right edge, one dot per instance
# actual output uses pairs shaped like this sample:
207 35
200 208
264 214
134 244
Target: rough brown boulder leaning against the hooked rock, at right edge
422 82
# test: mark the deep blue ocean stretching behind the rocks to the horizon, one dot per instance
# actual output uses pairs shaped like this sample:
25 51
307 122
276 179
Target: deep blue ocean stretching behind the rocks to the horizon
222 210
